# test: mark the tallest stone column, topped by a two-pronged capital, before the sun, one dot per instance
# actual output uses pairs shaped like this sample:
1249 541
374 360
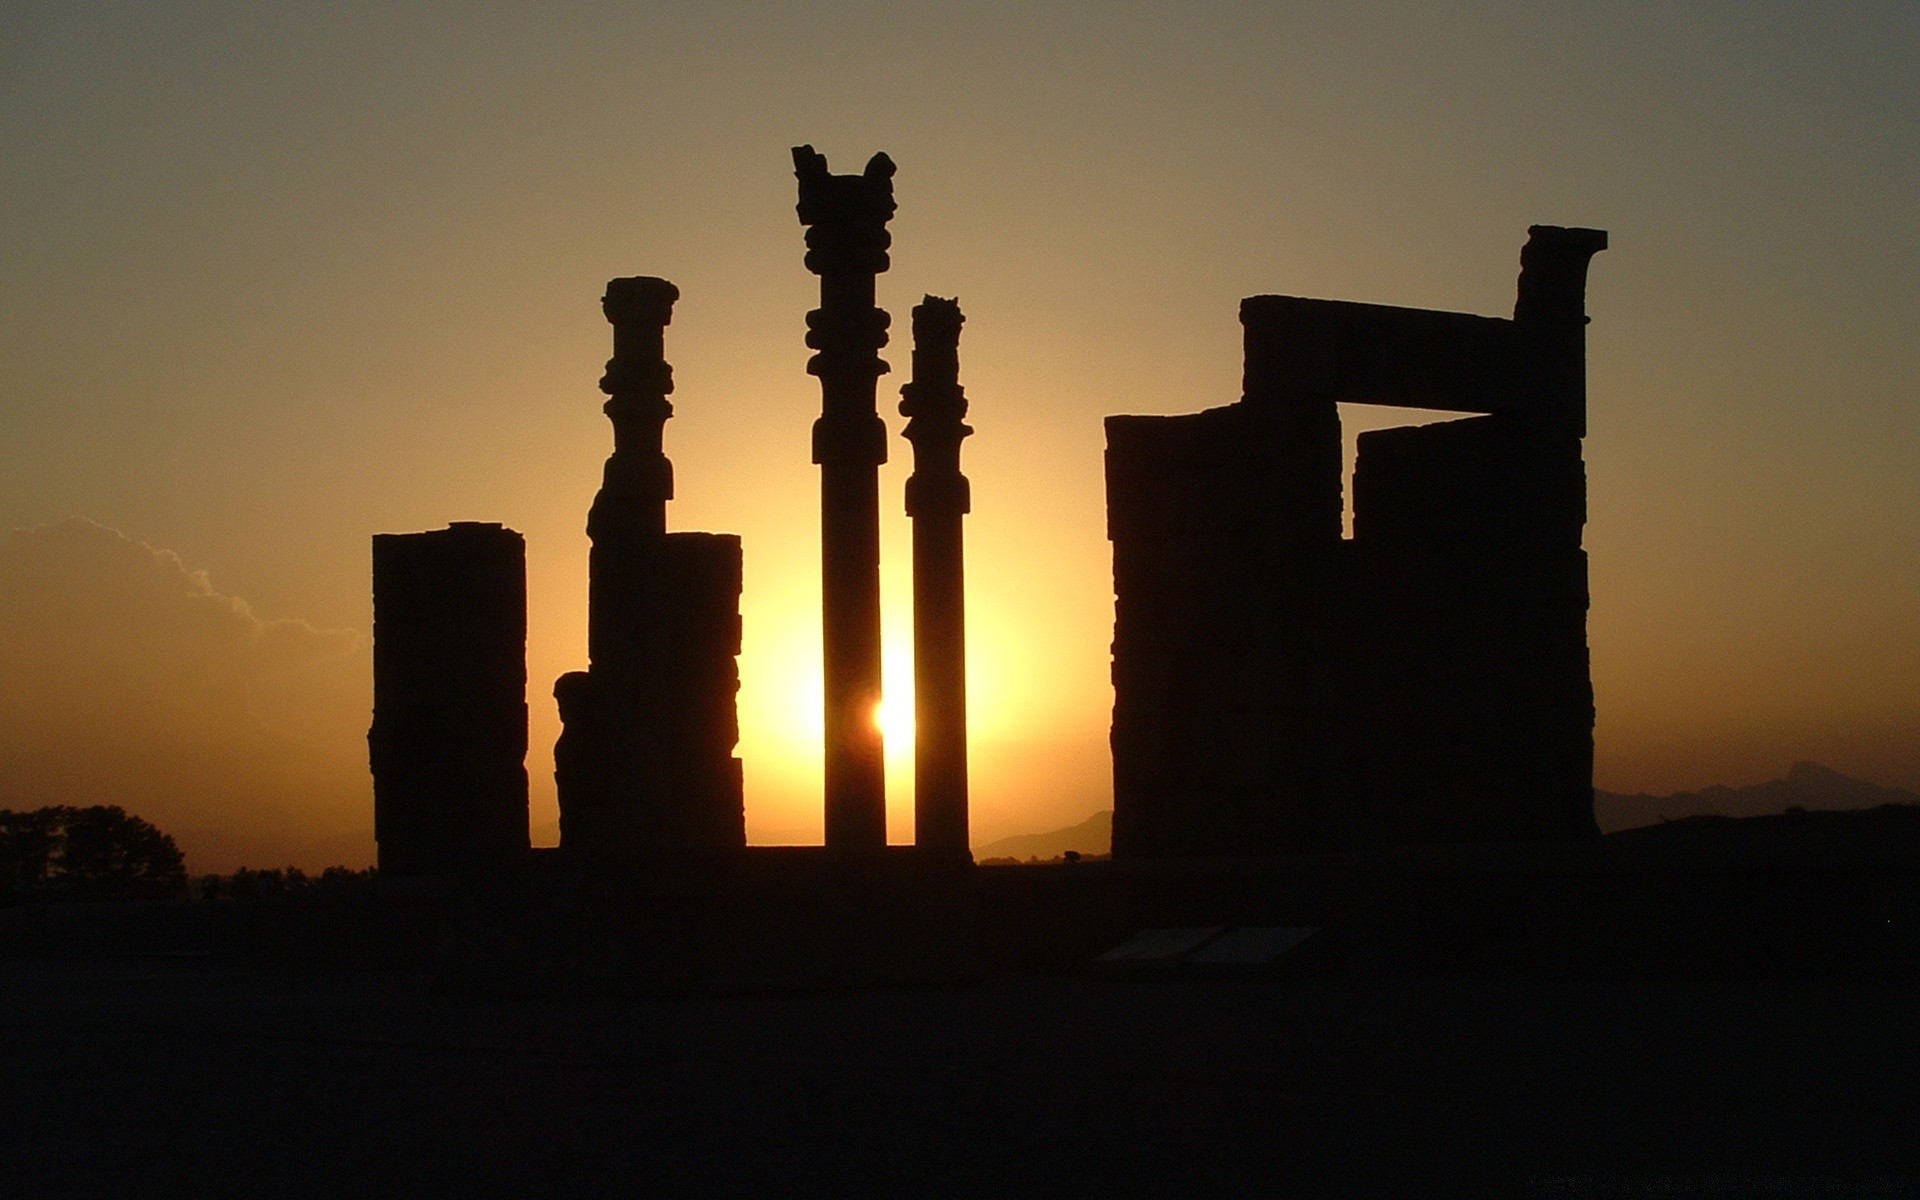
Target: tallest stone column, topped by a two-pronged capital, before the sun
848 241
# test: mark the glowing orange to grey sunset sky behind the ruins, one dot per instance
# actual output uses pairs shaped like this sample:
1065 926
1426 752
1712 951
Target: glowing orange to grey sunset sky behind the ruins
276 277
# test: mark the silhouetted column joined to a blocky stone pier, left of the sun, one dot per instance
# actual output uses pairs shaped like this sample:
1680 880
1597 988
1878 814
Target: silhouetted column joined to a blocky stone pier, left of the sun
646 759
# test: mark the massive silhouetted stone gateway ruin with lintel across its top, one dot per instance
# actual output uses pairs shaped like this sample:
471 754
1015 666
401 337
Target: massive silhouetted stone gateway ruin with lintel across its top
1284 688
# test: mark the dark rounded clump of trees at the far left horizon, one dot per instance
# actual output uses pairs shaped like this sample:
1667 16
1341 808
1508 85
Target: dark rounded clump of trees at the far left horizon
99 852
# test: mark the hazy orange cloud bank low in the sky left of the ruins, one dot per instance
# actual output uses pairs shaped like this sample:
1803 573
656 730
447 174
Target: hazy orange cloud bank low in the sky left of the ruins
128 679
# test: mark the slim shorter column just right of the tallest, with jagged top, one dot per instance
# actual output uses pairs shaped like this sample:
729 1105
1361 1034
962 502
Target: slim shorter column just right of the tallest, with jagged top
938 498
